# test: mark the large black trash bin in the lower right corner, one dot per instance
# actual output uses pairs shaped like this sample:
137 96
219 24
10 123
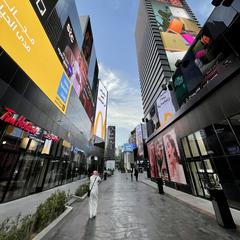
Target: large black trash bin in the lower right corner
221 208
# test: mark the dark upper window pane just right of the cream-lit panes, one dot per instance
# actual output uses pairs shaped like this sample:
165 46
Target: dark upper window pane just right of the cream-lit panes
227 138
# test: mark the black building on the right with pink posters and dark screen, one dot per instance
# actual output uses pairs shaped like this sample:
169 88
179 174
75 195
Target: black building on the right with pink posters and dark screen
198 147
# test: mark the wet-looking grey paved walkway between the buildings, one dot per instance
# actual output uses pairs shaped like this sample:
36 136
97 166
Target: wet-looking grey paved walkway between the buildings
133 210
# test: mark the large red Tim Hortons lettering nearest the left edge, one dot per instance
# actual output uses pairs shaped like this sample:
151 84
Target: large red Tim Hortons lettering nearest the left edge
19 122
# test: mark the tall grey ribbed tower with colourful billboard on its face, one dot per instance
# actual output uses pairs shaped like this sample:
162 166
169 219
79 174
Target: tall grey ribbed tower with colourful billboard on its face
164 31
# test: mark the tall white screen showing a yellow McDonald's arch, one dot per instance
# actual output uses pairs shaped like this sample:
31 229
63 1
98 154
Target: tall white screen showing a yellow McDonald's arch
99 127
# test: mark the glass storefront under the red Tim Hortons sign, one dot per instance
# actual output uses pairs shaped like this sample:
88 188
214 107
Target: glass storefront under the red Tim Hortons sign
33 159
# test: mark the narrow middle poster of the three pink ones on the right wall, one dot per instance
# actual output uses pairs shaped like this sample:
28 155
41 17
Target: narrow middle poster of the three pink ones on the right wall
160 158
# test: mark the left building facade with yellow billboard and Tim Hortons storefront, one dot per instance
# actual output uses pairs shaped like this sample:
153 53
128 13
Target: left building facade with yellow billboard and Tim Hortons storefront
47 107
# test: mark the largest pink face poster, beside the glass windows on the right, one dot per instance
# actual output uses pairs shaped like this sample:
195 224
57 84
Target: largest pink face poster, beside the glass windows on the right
173 158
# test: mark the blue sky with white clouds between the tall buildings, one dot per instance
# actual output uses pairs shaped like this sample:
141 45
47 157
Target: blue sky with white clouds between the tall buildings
113 25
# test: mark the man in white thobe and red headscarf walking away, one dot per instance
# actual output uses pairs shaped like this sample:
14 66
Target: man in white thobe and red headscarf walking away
93 200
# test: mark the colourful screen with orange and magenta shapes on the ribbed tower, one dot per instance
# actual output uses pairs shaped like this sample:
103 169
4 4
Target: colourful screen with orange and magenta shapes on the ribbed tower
178 30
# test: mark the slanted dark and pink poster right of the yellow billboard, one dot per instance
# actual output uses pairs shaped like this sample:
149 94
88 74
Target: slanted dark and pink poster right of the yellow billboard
75 65
